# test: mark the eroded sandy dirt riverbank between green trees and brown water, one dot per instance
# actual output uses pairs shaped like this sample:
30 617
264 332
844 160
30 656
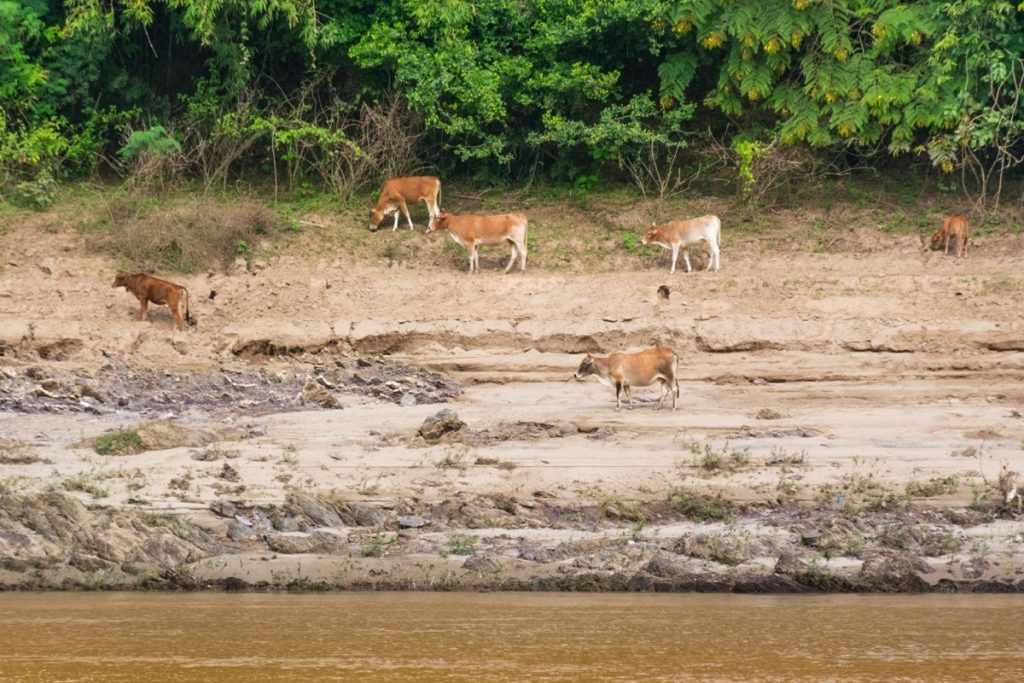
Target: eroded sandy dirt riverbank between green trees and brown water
847 422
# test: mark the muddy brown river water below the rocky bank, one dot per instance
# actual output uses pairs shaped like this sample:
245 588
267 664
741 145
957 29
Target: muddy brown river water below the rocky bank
56 637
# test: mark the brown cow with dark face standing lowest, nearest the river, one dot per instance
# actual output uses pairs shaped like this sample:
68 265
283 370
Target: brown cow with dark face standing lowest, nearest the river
641 369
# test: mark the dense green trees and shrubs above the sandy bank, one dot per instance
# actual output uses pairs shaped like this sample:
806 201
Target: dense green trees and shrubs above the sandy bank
345 92
